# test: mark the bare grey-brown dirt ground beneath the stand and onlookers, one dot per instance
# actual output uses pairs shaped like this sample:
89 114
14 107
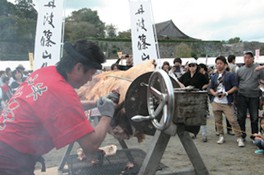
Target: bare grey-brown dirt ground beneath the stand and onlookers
225 159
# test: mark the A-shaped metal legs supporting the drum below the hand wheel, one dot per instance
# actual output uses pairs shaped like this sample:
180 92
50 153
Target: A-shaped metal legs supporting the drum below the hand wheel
158 146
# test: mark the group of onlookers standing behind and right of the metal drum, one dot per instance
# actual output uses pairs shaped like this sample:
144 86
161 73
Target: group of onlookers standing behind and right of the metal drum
234 92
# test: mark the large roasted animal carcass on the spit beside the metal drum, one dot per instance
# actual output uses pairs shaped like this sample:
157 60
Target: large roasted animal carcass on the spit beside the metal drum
105 82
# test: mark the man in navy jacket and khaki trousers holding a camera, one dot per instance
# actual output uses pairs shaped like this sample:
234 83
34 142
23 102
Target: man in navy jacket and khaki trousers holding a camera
223 85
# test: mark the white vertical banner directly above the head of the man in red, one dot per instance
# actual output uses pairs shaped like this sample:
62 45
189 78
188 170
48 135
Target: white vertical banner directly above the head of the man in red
48 33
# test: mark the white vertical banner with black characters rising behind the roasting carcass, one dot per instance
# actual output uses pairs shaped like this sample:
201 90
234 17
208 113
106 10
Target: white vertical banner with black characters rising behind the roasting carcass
143 39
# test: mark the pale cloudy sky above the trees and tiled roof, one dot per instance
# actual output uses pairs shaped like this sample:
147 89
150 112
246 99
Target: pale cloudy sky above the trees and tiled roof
202 19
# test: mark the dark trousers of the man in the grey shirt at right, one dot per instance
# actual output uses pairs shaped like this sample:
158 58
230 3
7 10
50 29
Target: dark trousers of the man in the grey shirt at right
252 105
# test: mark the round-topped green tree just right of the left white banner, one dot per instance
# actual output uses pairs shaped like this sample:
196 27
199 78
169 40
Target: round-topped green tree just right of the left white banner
82 24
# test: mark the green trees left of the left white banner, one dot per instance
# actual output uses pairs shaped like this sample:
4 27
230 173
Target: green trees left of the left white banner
17 22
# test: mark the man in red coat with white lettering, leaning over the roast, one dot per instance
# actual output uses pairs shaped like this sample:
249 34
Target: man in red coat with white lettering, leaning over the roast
46 112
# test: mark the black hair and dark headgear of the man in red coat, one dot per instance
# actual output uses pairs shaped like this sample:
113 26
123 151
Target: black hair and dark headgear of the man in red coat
83 51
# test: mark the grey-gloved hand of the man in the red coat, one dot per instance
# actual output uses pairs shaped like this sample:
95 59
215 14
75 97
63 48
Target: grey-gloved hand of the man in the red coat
106 106
